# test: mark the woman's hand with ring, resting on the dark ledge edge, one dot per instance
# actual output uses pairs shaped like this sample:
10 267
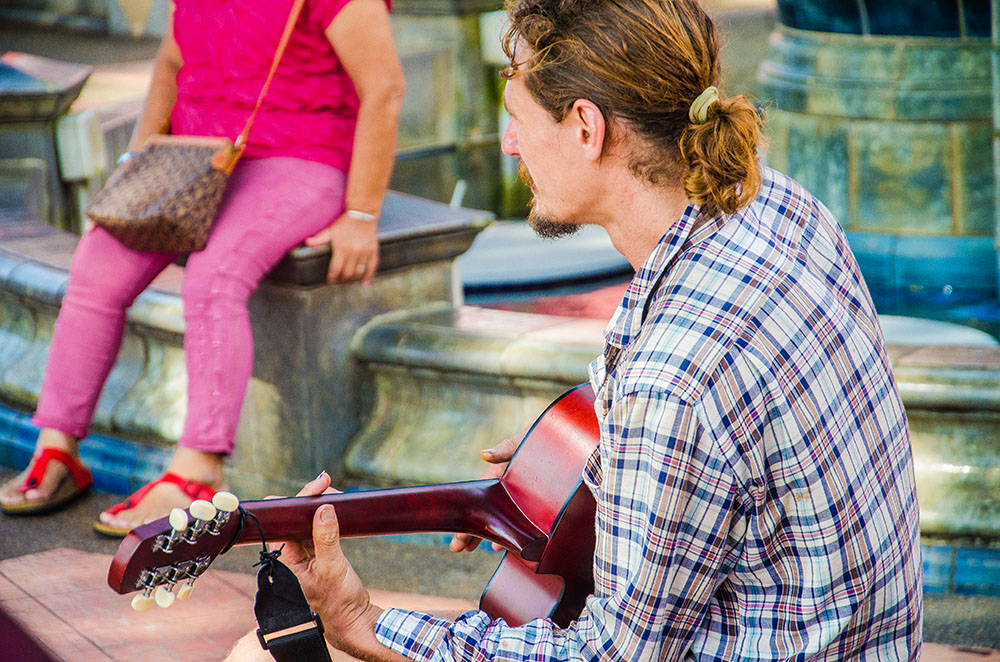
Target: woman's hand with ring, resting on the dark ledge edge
354 243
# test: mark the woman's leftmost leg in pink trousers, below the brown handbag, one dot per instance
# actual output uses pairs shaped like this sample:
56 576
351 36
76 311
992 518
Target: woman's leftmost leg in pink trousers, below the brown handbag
105 278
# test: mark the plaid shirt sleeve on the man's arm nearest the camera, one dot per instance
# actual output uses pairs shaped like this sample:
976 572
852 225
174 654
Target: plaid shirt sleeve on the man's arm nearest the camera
664 514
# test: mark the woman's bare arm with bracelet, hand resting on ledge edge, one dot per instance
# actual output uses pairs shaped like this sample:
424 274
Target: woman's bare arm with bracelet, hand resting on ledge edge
362 37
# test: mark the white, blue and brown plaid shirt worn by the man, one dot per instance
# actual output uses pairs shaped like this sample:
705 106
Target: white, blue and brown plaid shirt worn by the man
754 480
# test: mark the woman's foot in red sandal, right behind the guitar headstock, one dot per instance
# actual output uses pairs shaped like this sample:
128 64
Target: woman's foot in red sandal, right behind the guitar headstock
192 475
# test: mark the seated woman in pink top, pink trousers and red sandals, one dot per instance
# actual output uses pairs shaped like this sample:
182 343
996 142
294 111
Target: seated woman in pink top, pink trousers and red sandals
315 169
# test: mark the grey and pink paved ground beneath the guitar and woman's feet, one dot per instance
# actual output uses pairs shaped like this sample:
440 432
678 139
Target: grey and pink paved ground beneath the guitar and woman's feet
53 581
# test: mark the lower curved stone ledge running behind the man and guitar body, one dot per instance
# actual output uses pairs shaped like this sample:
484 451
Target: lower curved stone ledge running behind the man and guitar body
451 381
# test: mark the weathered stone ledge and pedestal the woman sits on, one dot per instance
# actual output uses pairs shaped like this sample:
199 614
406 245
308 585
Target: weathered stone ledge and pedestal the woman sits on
306 398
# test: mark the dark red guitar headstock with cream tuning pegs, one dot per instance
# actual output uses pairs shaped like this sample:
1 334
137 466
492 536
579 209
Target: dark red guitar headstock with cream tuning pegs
172 552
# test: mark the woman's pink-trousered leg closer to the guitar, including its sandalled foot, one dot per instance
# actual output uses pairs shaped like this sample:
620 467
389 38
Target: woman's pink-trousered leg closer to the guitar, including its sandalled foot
271 206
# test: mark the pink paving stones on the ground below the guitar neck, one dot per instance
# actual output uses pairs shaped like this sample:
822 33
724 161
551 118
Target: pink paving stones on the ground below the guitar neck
61 598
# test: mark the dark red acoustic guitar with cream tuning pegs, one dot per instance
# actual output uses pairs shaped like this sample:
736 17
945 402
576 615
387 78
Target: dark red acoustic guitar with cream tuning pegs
539 511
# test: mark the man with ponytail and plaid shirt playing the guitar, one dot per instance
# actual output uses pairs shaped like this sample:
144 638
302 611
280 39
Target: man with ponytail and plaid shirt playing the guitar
754 480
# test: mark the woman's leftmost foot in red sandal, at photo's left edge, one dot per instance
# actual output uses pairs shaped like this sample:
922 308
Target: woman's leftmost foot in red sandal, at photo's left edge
54 476
